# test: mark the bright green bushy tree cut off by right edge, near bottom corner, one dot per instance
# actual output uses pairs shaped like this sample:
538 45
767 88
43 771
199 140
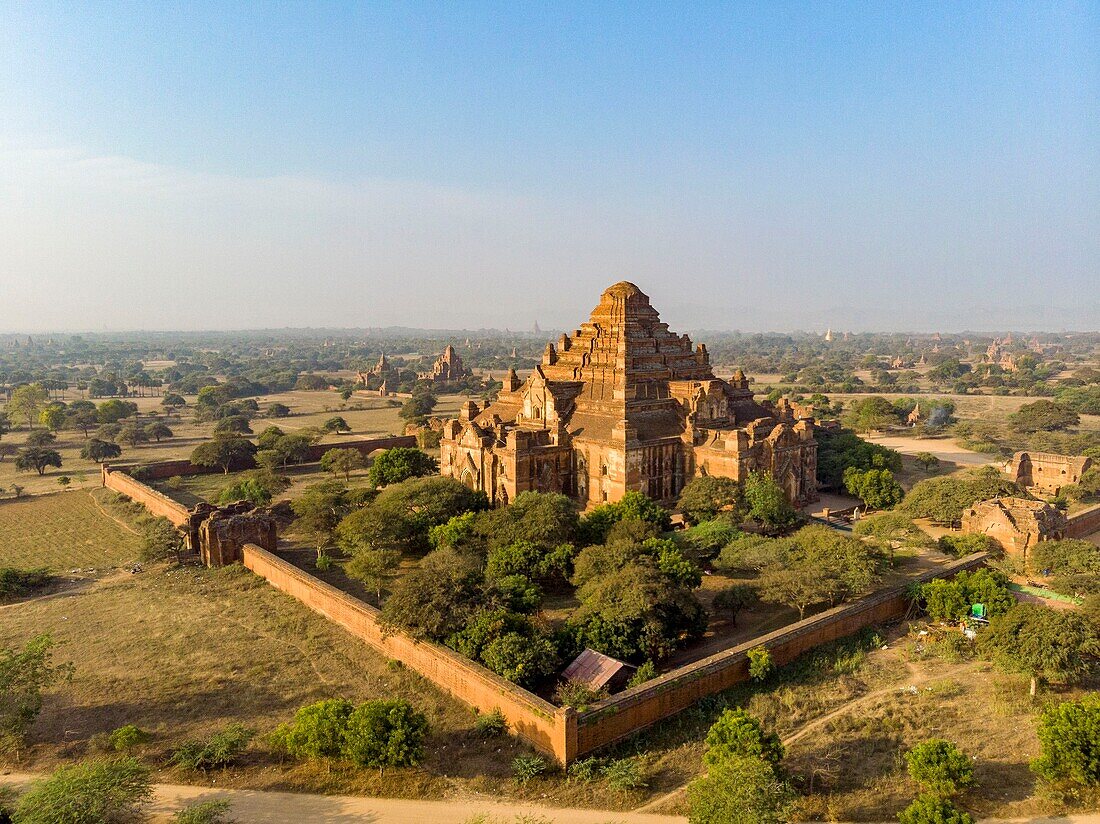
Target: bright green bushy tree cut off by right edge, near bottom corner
1070 734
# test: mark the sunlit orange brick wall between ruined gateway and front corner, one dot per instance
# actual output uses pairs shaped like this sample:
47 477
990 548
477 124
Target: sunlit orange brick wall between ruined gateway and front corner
545 727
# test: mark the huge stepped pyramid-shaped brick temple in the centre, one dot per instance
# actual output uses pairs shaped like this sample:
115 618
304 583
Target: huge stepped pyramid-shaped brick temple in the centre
623 405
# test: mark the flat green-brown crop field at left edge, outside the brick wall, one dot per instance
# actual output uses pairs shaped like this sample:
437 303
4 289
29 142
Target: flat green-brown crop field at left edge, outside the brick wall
63 532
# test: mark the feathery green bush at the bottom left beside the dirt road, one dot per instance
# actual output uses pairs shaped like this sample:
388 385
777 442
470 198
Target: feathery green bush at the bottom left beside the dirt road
91 793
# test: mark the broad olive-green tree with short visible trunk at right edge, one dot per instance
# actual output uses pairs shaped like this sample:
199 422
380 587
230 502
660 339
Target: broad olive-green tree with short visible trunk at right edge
1046 644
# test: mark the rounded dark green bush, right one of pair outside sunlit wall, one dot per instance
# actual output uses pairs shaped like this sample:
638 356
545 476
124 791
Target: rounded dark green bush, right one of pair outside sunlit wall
386 733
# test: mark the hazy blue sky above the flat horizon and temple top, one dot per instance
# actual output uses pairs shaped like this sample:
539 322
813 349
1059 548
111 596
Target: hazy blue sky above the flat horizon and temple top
752 167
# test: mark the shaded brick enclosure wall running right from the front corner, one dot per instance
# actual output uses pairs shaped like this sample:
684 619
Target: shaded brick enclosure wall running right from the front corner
642 707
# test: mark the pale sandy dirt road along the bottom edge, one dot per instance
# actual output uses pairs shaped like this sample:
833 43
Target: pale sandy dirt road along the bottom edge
256 807
